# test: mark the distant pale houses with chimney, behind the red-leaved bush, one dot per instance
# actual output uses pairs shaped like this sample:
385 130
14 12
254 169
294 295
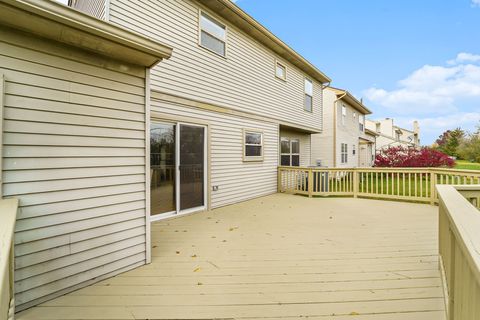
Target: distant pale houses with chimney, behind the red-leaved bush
391 135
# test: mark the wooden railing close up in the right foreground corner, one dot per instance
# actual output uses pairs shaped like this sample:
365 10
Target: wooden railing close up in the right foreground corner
459 245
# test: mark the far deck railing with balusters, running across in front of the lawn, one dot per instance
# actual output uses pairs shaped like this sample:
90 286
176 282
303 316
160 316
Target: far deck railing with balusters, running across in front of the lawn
414 184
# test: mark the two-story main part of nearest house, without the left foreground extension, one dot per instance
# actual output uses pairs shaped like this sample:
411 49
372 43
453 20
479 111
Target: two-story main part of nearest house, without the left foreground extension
231 104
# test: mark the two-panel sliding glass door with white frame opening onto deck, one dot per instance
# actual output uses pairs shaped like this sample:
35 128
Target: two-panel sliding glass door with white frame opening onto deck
177 168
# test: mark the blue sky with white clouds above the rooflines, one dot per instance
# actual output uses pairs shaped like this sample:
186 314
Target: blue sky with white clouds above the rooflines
409 60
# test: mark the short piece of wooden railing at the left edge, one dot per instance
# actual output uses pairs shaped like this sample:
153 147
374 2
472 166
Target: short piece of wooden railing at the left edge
8 214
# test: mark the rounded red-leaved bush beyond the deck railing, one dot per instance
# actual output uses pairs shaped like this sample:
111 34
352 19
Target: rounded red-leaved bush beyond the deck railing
410 157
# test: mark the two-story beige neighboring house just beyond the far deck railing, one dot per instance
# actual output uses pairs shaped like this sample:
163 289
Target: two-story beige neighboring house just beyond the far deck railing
344 131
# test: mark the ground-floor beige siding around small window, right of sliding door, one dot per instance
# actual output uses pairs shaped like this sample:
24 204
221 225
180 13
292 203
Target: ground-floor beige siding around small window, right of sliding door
236 180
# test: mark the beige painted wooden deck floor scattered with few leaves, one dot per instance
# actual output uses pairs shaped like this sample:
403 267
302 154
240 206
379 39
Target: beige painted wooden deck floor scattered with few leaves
280 256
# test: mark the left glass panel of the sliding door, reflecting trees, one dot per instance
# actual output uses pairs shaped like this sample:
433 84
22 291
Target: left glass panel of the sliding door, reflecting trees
162 168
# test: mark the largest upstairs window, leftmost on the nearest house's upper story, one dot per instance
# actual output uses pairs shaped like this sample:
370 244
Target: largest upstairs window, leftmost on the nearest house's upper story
213 34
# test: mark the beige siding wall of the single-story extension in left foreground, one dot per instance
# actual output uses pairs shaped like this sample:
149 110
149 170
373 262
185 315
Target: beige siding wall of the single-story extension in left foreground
74 155
